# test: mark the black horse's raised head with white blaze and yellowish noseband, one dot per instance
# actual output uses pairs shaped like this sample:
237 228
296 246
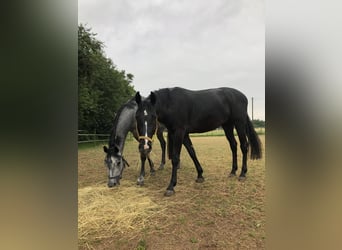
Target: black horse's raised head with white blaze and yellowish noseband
146 119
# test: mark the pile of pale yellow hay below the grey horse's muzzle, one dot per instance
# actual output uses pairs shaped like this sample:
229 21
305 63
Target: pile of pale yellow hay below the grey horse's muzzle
103 212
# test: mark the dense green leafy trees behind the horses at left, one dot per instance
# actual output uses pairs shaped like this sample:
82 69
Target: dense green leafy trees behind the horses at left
102 88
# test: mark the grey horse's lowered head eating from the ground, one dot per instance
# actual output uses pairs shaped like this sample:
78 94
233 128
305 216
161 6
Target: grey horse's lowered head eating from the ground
115 164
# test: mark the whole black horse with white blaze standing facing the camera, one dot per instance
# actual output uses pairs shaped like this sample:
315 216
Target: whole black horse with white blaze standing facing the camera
184 111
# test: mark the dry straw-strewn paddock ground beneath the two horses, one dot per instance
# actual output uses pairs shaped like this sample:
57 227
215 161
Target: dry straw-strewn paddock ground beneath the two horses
221 213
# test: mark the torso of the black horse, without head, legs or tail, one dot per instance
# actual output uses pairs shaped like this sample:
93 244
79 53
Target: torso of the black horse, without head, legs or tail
204 110
